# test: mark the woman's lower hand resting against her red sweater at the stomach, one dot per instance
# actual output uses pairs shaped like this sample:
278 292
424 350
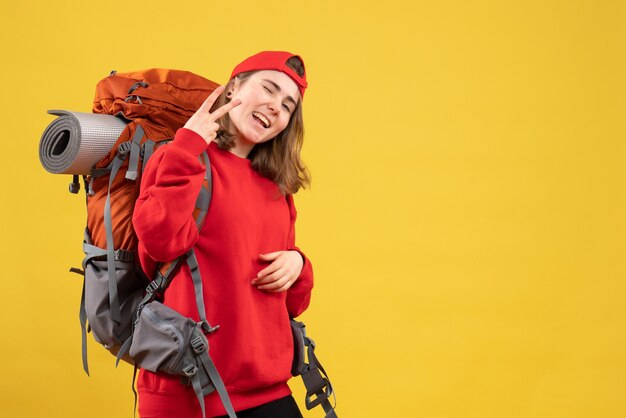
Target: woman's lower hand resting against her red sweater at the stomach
283 271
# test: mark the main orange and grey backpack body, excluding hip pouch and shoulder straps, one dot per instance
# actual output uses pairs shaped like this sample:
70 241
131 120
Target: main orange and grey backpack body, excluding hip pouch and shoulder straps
154 103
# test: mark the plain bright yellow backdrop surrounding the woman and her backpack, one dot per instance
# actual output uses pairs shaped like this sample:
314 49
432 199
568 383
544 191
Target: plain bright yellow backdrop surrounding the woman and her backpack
467 215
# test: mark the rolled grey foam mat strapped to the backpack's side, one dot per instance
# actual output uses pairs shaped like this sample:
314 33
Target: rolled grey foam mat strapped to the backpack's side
75 141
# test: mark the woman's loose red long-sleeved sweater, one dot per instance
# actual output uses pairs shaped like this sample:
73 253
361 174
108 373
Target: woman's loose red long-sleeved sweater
248 216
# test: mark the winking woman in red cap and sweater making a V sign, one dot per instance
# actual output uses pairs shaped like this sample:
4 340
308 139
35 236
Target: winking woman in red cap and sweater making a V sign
254 277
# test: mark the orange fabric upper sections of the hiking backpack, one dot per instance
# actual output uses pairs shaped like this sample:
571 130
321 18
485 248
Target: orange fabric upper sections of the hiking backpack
159 101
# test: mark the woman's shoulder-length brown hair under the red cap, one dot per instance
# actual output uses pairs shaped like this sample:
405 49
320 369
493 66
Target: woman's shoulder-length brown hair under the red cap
279 158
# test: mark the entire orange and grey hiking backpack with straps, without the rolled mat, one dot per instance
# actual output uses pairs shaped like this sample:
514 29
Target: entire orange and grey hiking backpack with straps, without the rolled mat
118 300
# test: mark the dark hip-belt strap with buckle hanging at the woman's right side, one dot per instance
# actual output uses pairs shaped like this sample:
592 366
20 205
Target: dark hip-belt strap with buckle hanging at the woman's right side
318 387
